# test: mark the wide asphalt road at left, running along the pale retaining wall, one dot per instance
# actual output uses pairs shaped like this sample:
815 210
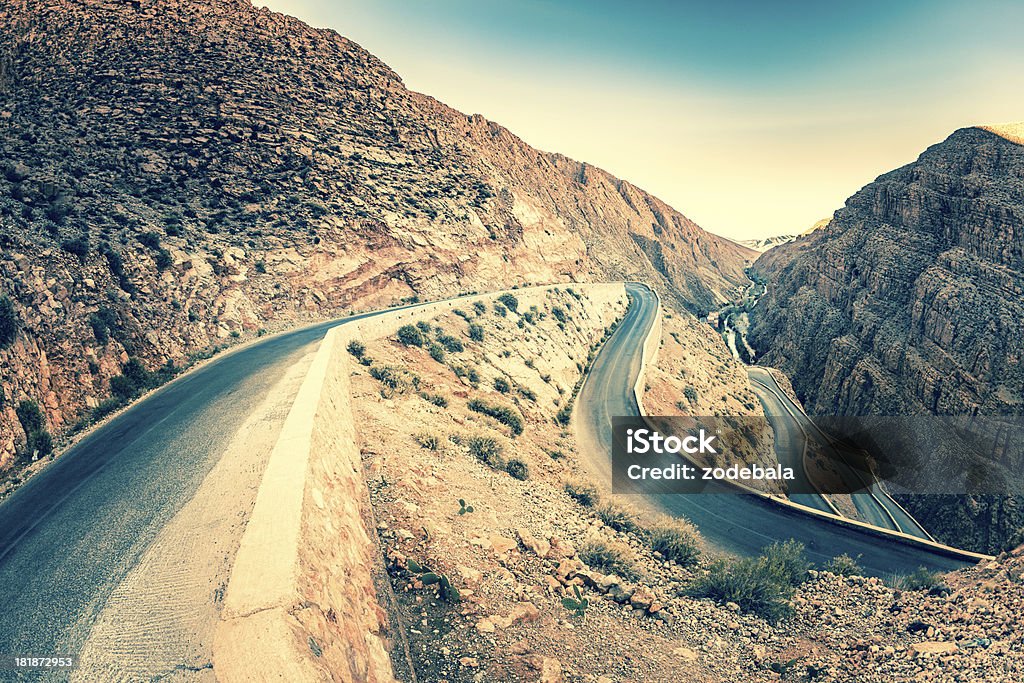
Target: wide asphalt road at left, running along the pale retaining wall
72 533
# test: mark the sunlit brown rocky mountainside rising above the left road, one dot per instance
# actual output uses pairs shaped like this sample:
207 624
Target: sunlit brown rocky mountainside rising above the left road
178 174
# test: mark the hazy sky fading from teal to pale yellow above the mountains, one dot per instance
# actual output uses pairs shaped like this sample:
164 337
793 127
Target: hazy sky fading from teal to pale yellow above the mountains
753 118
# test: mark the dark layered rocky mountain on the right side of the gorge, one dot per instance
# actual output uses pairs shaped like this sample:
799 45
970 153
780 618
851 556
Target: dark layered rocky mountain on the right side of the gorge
910 303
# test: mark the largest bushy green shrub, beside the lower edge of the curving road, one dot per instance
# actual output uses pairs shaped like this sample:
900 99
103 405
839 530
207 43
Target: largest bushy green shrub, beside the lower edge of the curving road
760 585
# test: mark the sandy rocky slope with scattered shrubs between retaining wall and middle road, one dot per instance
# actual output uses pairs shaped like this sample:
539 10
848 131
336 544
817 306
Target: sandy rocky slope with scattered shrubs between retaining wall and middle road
515 546
